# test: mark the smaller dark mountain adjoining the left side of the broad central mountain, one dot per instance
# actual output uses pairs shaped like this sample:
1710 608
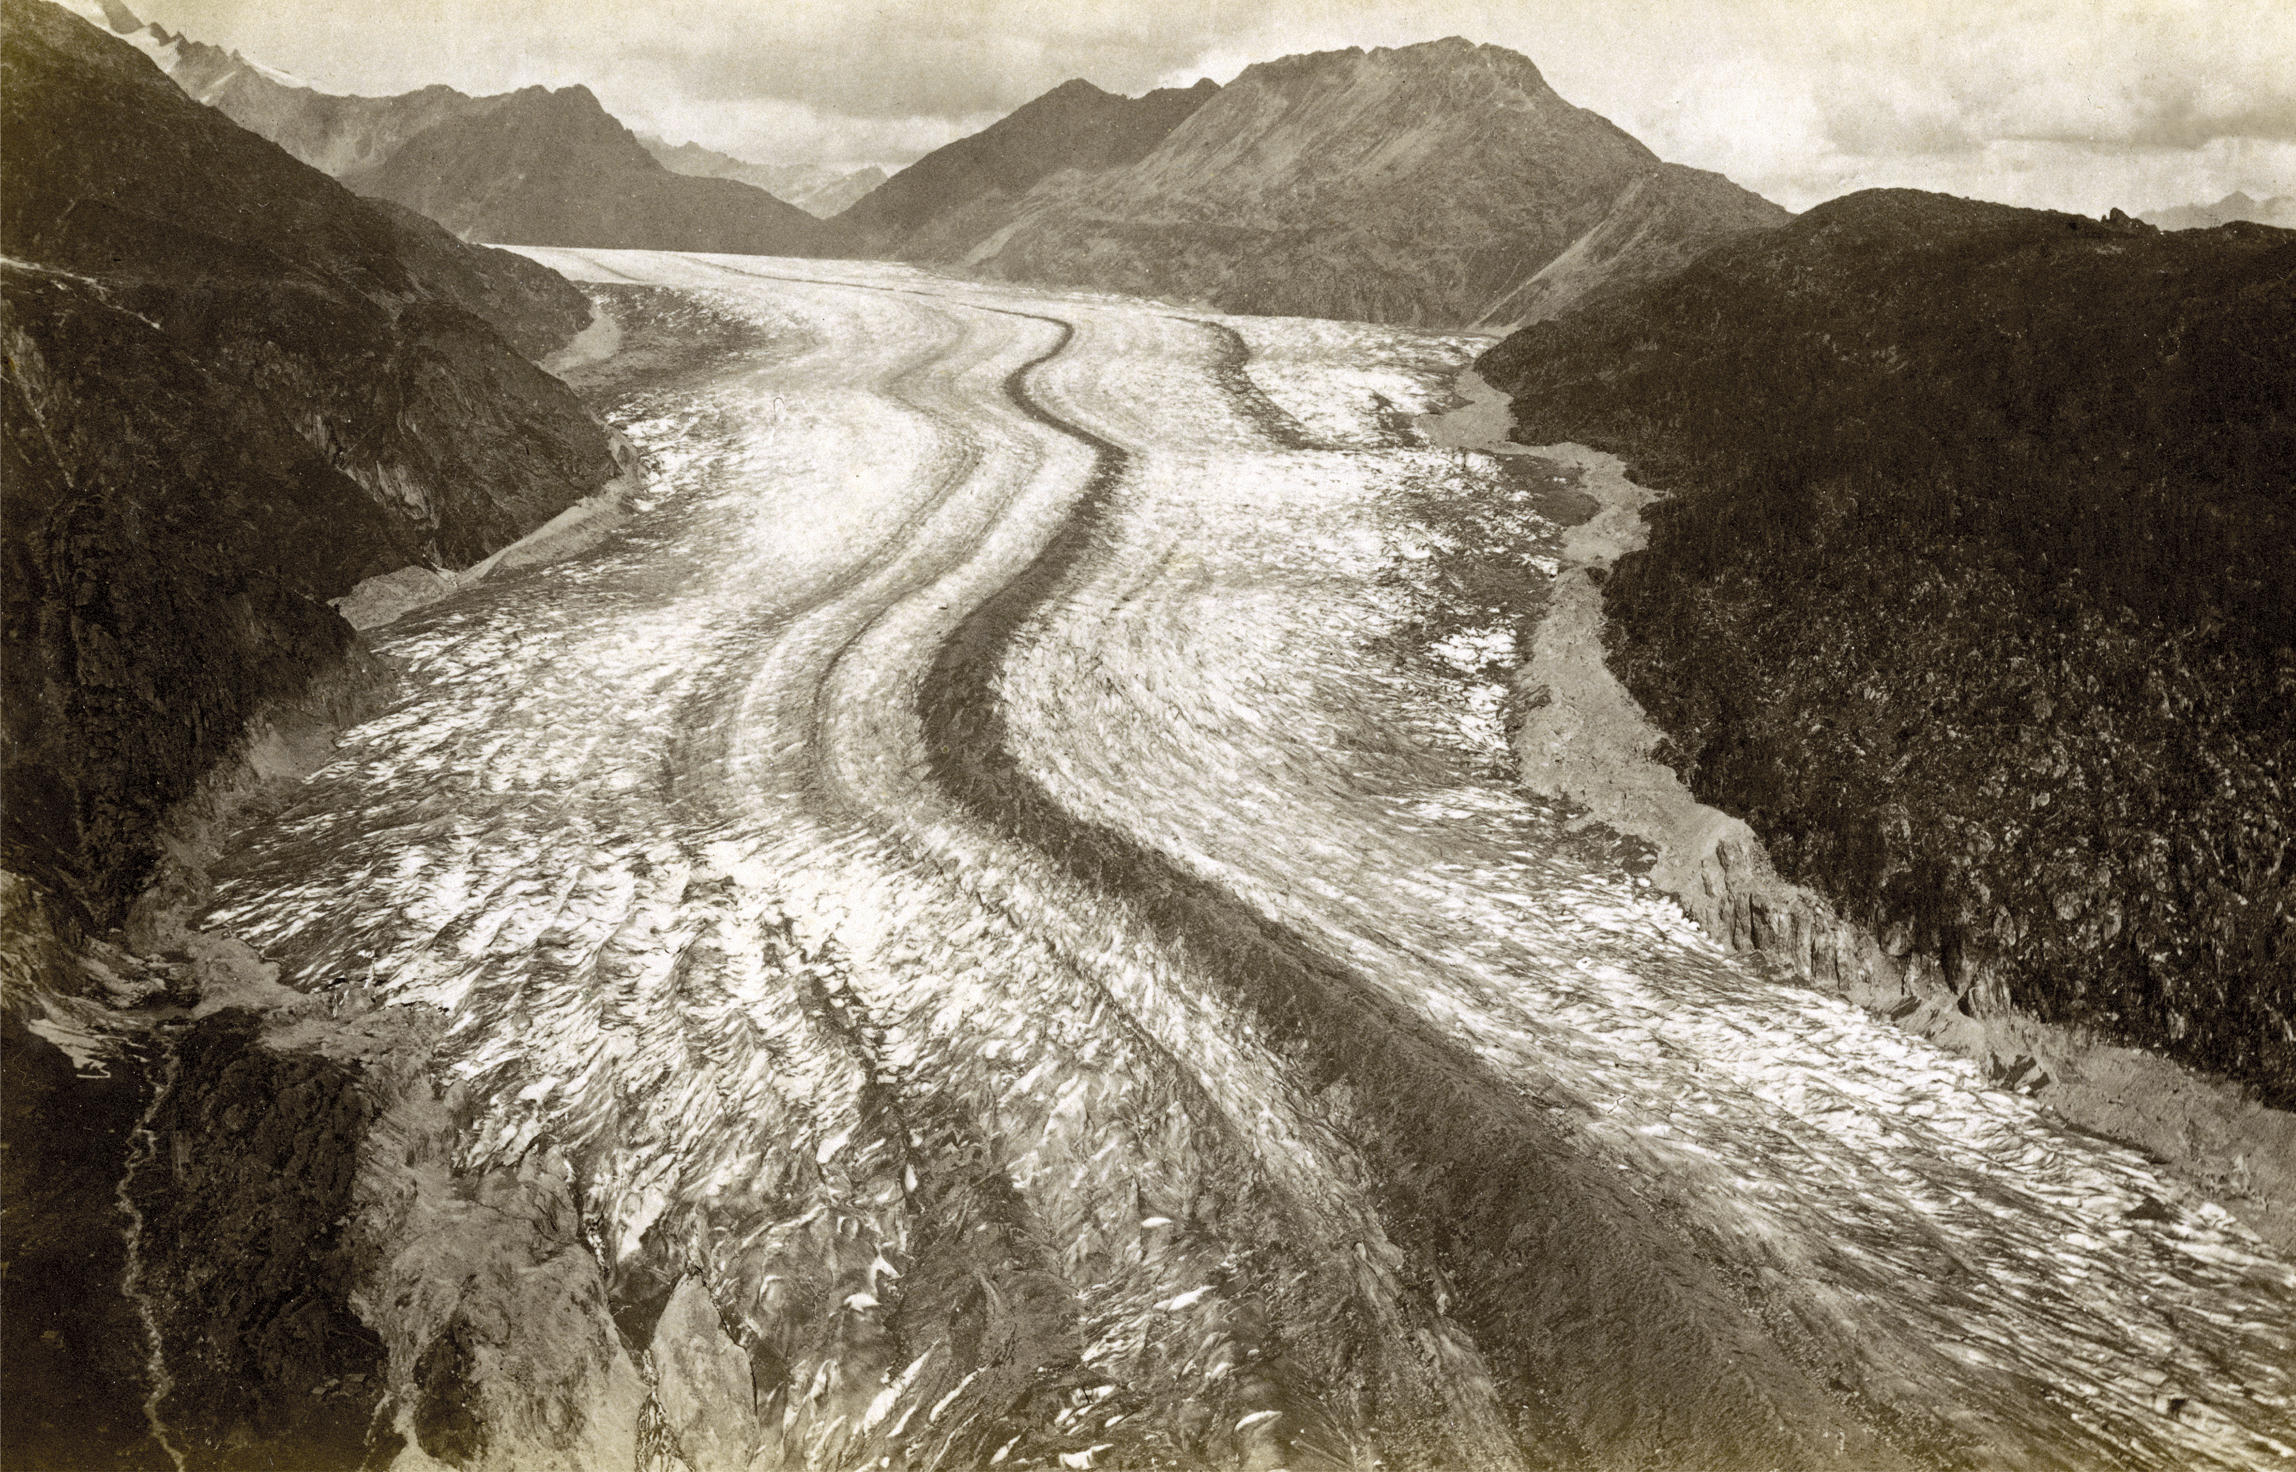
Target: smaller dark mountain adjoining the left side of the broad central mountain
961 194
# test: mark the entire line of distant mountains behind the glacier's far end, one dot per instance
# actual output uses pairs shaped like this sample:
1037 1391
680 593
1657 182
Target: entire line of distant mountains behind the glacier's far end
1436 185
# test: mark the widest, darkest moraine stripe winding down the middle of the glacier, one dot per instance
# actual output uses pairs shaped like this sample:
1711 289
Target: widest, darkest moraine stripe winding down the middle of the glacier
1615 1338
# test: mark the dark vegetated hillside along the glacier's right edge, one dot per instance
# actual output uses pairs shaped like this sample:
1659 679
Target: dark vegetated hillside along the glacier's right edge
1978 589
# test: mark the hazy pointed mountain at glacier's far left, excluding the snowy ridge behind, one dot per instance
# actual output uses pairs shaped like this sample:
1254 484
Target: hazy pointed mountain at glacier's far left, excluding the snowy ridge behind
554 169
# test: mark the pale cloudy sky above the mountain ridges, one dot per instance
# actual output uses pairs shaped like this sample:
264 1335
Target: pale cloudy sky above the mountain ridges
2065 104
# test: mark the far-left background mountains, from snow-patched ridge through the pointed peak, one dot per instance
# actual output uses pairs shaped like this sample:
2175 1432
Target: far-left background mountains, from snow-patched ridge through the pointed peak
520 169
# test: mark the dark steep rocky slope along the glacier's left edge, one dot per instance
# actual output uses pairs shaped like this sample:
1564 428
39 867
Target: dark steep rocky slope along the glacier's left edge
233 392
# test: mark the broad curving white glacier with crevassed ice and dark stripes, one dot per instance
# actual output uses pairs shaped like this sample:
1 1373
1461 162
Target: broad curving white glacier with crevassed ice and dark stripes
977 874
